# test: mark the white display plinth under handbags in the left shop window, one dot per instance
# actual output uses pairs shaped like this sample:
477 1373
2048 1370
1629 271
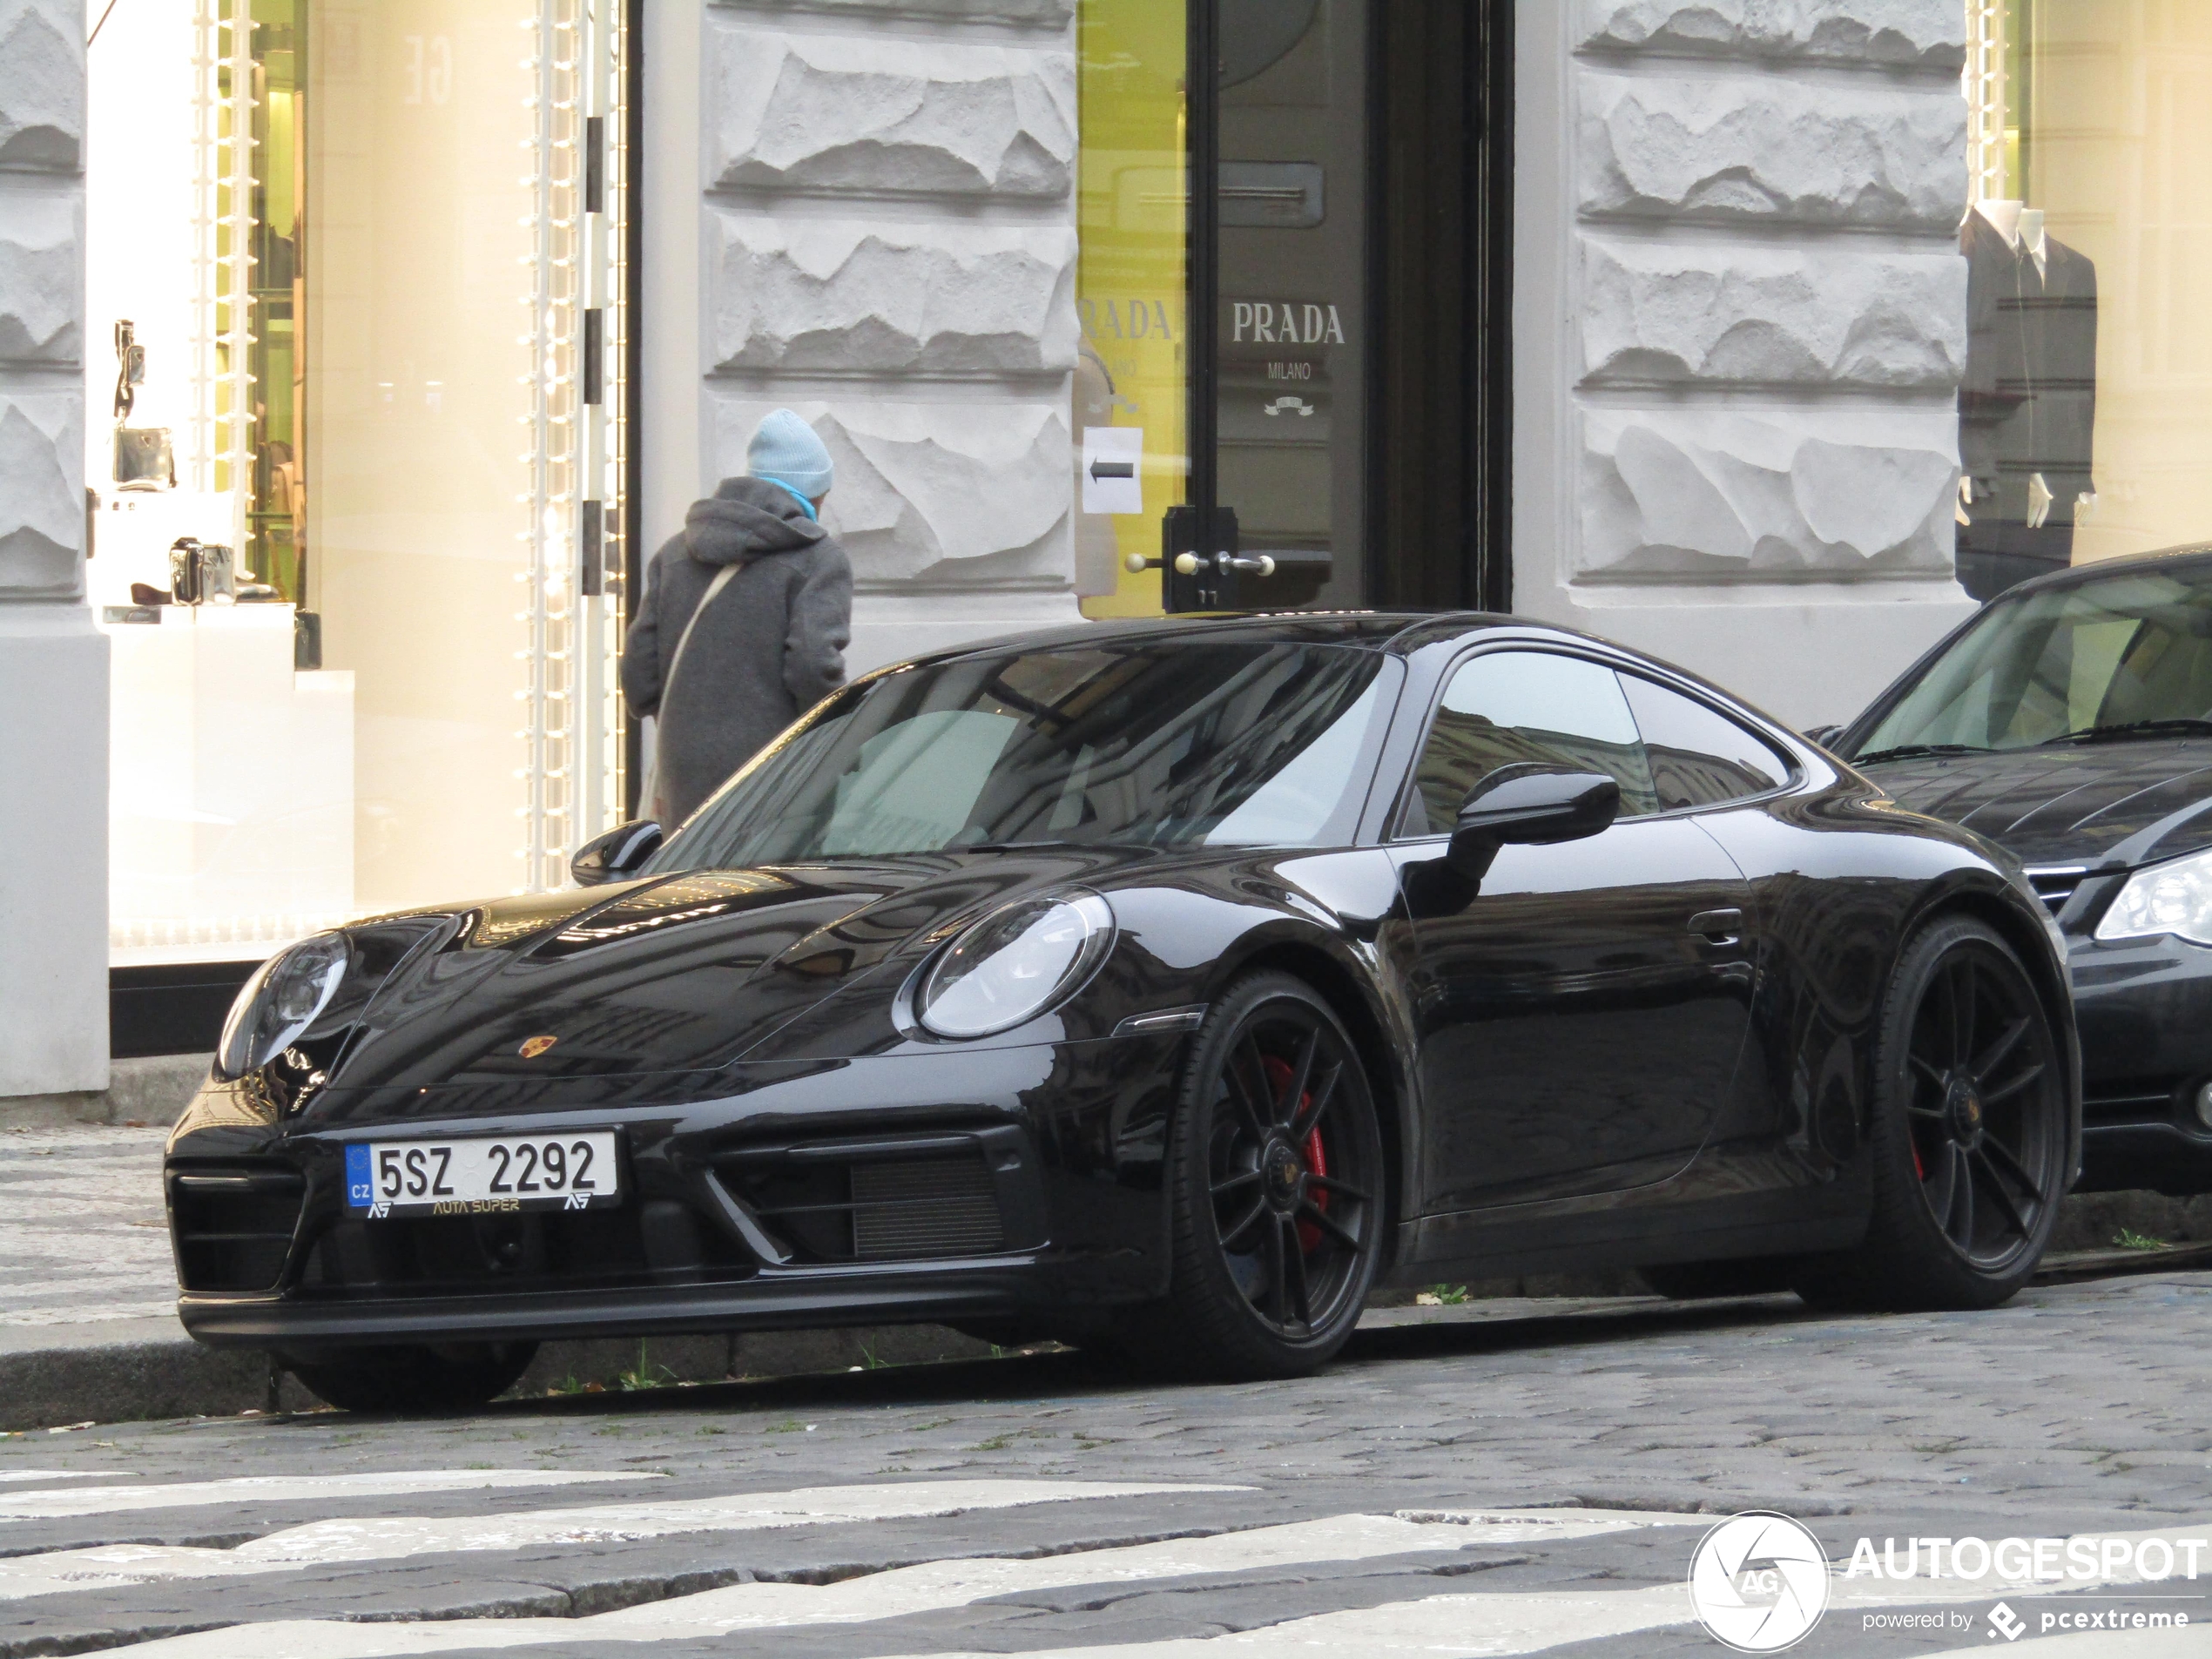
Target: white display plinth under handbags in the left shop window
233 786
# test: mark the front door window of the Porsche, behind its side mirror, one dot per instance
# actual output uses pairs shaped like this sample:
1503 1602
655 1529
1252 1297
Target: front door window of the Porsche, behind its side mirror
1525 707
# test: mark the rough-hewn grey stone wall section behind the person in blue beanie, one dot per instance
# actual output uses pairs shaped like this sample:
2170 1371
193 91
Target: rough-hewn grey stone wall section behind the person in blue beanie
890 249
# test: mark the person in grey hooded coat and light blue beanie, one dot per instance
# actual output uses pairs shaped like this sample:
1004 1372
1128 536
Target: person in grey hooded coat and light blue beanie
773 638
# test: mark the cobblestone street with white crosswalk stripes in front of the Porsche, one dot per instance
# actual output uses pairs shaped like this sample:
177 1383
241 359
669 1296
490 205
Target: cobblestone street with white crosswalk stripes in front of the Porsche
1470 1481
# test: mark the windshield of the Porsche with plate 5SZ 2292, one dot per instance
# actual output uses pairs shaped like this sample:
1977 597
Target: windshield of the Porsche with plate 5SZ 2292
1136 744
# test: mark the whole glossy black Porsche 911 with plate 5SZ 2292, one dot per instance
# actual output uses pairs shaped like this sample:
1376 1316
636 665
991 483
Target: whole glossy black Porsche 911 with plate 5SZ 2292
1158 988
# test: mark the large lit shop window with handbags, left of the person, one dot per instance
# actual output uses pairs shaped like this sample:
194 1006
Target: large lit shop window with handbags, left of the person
357 461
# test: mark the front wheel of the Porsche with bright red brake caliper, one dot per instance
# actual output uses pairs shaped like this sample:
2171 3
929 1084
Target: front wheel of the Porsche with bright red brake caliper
1275 1189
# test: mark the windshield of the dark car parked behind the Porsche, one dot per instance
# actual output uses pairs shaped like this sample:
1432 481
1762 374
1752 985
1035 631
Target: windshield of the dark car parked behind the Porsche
2127 656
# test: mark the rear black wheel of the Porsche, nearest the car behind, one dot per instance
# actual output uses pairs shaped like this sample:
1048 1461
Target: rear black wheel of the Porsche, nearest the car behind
1972 1134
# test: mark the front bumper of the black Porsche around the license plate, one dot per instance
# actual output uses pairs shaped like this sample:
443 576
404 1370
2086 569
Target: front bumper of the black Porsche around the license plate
963 1185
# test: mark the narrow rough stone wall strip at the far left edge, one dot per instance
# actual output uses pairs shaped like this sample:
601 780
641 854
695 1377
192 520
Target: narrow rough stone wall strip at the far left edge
41 302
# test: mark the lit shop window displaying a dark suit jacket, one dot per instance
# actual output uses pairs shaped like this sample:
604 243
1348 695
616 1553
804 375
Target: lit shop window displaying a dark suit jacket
2087 401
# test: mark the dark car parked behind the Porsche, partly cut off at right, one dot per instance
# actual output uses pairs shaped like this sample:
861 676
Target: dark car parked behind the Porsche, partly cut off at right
2072 724
